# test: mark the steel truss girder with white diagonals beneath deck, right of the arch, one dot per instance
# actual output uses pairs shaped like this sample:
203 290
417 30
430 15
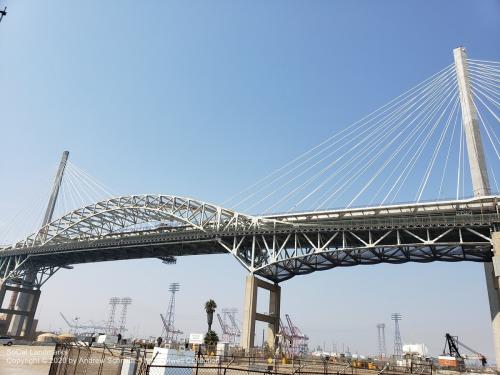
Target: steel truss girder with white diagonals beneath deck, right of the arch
279 256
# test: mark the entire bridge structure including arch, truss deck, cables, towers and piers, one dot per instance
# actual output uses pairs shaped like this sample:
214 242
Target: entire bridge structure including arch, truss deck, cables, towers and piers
416 144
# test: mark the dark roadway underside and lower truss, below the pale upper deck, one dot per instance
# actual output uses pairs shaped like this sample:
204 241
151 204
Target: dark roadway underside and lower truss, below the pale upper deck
282 254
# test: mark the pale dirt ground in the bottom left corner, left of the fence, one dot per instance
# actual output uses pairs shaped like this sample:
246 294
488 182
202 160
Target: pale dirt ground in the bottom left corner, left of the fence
25 360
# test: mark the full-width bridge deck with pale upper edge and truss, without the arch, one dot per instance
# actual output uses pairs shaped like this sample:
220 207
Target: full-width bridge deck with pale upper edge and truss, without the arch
280 246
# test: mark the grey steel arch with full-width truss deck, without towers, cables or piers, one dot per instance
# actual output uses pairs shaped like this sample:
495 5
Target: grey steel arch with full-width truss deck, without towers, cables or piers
275 247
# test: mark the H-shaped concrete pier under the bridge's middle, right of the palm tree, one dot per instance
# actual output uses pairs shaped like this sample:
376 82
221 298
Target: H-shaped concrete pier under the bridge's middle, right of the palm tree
272 317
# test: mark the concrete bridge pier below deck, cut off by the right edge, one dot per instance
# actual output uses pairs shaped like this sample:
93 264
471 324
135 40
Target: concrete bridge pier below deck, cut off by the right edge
492 273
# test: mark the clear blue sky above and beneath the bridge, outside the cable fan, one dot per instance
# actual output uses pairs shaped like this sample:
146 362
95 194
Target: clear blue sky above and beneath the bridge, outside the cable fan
202 99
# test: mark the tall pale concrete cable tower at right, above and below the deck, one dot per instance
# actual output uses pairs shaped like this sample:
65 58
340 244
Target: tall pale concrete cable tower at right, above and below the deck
480 186
